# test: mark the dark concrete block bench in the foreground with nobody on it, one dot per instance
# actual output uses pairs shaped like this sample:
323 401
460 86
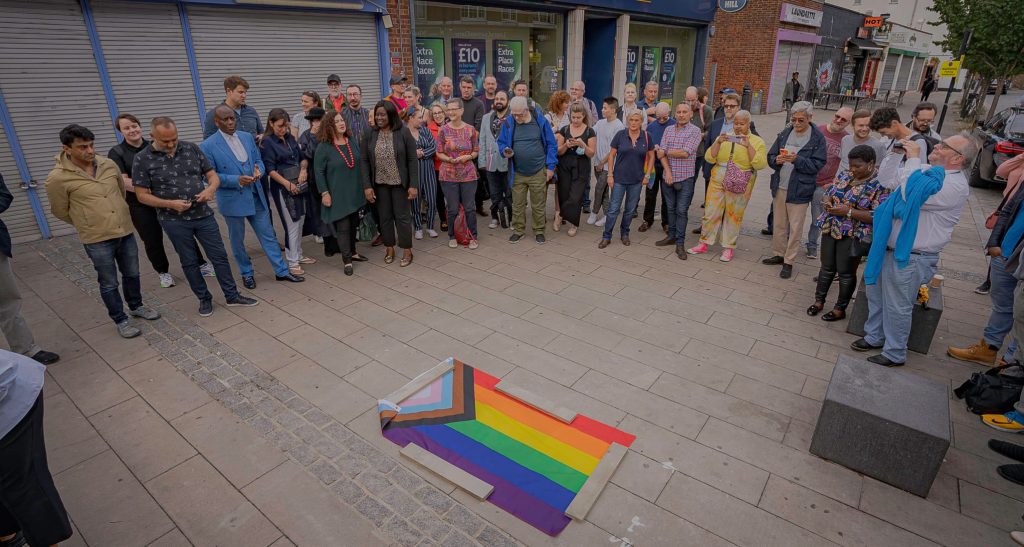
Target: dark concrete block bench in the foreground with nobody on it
888 425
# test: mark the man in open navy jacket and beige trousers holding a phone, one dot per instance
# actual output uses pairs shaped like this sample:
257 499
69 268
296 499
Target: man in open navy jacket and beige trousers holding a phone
797 156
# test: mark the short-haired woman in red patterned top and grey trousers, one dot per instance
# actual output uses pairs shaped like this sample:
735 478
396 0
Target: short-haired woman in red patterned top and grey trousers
458 147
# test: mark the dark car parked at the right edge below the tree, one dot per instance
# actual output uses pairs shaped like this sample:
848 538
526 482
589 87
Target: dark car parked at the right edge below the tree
1001 139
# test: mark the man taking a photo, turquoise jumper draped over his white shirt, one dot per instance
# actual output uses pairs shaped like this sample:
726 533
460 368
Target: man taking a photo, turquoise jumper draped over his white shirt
893 275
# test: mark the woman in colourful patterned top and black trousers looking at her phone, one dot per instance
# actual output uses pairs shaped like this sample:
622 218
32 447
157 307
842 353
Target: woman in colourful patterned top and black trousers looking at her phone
846 229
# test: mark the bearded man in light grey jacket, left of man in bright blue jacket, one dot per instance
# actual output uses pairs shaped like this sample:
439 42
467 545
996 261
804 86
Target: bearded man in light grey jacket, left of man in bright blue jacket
494 164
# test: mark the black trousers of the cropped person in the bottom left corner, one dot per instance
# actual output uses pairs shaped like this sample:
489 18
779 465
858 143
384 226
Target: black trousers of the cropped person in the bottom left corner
29 501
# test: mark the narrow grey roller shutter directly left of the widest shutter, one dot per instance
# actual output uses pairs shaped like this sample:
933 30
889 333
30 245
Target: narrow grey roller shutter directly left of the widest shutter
147 62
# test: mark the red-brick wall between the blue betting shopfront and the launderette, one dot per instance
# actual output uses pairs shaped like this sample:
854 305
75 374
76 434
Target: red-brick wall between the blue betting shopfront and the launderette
744 46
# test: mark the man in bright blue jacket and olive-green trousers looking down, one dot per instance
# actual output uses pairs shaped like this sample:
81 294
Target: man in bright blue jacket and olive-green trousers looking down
530 144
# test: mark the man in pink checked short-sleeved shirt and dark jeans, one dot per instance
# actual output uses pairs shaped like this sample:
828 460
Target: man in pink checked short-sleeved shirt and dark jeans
677 152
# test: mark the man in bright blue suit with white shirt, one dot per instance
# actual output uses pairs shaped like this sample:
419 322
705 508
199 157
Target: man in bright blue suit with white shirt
240 197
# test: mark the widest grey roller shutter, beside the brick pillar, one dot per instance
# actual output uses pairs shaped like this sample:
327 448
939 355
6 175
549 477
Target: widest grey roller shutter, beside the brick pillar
283 54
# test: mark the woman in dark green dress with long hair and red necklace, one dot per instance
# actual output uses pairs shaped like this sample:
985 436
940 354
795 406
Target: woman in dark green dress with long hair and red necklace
337 166
